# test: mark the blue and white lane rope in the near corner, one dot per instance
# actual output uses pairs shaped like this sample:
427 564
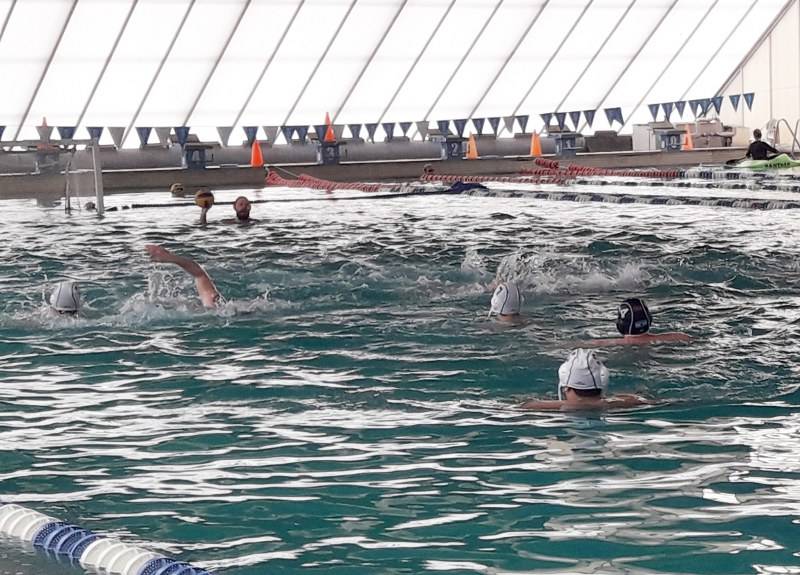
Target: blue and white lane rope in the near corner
91 551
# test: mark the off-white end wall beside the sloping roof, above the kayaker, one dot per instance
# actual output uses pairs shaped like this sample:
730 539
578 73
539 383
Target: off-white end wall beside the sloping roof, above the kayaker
772 73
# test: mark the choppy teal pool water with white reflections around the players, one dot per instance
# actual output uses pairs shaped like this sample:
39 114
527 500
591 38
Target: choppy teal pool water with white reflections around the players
351 410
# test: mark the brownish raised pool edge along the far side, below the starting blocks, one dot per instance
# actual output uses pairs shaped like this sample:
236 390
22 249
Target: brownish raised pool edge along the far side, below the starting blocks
16 186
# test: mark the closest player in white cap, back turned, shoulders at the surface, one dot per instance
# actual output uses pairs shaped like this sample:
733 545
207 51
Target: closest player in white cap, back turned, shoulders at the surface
582 384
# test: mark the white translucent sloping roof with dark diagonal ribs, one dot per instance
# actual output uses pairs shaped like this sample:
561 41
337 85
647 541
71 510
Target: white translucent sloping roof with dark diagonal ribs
211 63
